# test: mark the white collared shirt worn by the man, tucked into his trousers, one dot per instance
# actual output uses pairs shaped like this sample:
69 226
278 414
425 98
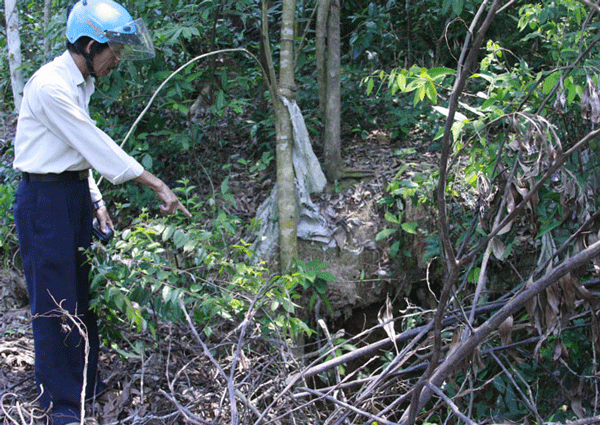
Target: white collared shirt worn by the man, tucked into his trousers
55 132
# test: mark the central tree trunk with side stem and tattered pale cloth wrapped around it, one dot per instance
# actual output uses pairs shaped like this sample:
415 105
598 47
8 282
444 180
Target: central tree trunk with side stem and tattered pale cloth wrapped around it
298 171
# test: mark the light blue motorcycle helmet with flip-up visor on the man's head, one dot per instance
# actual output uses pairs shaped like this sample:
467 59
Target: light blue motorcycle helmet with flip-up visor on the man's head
106 21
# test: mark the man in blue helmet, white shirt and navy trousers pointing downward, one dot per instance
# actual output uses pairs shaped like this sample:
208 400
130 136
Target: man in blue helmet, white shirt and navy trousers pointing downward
56 145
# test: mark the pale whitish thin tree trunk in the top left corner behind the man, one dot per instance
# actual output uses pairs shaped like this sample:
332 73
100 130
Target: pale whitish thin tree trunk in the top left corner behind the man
14 51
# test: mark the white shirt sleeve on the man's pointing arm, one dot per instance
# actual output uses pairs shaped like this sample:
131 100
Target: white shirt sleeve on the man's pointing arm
72 125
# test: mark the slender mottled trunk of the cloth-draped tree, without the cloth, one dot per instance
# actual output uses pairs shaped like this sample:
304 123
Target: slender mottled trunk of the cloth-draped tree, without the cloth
288 242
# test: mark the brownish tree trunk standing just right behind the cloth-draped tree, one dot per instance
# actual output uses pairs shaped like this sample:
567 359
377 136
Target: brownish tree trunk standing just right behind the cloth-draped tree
333 156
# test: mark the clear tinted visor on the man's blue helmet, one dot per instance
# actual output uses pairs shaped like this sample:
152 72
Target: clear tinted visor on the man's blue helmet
131 41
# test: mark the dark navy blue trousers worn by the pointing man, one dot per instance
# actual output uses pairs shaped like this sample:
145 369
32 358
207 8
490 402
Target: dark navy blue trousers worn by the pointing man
54 226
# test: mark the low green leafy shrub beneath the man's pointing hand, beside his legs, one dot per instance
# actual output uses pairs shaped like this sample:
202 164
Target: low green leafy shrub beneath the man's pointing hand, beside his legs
155 265
